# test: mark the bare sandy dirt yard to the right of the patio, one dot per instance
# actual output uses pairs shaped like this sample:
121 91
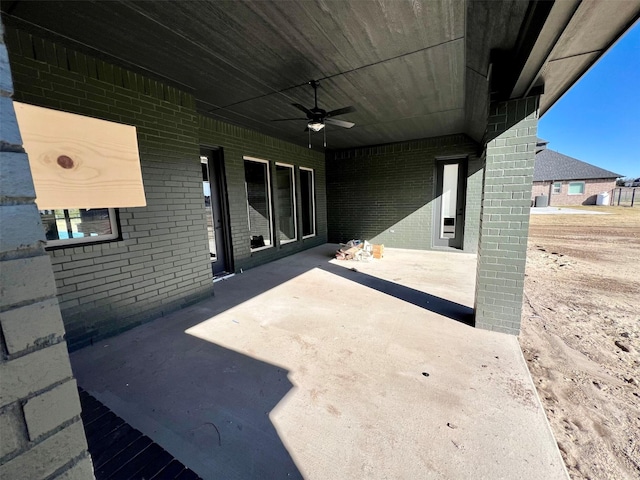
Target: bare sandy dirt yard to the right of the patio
581 337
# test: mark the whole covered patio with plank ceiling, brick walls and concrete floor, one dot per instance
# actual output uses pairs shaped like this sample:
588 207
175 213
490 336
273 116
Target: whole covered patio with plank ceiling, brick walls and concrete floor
297 366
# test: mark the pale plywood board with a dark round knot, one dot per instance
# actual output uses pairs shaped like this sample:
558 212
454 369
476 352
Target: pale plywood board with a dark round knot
80 162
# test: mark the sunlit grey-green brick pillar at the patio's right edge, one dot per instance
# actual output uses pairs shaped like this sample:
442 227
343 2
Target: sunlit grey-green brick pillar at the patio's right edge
509 154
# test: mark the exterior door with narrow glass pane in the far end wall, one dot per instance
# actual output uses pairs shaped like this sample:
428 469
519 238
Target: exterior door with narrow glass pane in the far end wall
448 218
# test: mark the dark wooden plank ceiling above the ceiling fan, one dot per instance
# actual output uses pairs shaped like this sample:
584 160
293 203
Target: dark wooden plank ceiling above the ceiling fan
412 69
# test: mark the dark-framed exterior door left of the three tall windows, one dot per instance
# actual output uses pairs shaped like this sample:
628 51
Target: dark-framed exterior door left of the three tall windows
213 186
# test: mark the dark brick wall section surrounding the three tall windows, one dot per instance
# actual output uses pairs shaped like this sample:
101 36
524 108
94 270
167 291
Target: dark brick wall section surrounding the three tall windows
238 142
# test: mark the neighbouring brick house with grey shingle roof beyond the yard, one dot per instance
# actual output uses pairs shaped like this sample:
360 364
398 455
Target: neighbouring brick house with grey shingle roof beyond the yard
568 181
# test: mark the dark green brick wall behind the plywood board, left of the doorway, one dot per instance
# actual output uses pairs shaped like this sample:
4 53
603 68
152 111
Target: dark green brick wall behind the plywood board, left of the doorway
162 261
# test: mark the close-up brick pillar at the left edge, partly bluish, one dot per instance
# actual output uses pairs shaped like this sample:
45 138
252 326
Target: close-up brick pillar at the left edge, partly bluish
41 434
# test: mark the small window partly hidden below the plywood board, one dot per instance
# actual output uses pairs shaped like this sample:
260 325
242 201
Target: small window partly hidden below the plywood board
75 225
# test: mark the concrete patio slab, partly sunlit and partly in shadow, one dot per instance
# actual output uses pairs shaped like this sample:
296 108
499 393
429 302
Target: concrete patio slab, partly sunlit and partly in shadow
304 368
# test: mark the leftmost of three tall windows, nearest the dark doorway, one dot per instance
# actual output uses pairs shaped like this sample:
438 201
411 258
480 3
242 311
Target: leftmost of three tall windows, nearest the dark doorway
258 187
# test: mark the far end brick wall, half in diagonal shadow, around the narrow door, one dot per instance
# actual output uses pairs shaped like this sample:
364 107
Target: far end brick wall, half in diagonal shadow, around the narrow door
384 194
